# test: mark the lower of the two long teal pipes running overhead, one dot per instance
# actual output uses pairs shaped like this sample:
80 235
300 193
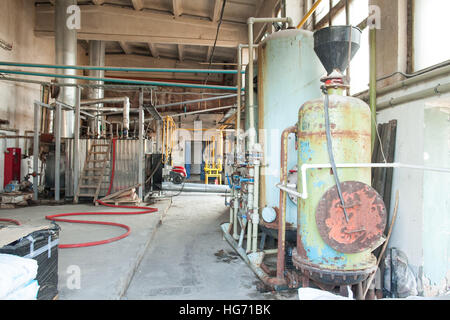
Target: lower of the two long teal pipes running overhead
117 80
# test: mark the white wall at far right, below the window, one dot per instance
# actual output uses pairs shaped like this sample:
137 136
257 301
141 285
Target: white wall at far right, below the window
422 226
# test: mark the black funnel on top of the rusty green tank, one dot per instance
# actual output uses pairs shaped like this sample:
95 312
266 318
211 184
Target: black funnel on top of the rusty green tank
332 46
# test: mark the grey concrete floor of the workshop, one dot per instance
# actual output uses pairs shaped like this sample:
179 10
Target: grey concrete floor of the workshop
184 257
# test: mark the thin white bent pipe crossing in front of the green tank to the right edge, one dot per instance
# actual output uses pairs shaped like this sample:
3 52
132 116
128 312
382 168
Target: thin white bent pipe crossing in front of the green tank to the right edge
305 167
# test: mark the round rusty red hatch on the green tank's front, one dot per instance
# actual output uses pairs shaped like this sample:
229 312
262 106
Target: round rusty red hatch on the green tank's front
367 217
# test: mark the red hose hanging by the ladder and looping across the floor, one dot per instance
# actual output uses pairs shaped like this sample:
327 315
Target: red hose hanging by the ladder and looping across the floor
96 243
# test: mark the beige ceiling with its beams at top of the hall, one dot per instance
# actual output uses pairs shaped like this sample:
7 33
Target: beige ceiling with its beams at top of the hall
182 30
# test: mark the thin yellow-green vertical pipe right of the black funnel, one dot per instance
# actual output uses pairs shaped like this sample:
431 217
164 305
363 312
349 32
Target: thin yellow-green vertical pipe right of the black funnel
373 82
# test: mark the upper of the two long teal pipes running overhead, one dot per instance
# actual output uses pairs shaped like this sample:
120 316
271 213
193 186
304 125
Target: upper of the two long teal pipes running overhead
100 67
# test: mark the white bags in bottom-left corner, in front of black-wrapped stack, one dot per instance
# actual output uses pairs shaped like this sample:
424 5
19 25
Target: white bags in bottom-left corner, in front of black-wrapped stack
18 278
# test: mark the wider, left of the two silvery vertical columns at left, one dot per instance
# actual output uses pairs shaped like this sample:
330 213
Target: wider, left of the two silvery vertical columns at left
66 54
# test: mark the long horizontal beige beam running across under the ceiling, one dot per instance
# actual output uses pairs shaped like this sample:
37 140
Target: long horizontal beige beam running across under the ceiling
121 24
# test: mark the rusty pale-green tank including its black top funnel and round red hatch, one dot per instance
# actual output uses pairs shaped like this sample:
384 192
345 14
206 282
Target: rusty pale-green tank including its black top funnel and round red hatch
334 246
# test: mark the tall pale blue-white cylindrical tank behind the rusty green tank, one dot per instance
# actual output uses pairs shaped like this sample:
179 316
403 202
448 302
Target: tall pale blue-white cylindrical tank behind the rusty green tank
289 74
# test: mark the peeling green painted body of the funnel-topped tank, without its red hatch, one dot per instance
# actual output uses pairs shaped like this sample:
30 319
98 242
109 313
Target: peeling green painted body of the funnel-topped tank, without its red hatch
351 133
